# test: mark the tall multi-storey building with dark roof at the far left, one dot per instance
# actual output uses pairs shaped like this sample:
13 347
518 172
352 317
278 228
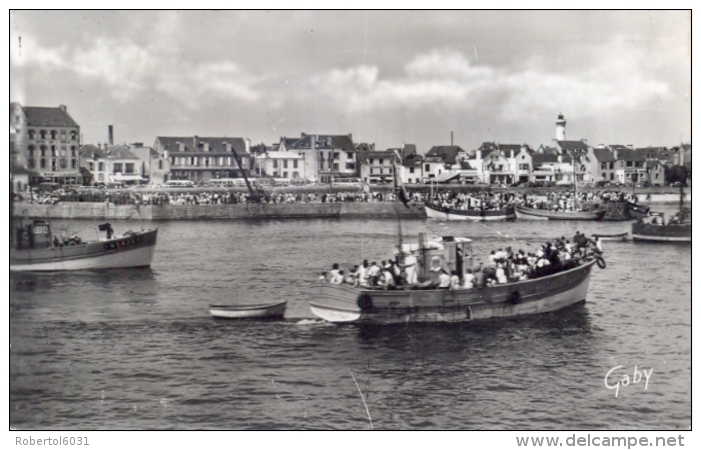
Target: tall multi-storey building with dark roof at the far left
47 142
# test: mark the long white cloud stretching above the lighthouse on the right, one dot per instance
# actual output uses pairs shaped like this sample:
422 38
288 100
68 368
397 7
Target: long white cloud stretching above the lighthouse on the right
449 79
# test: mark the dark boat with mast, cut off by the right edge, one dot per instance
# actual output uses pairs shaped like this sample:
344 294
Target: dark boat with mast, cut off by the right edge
676 229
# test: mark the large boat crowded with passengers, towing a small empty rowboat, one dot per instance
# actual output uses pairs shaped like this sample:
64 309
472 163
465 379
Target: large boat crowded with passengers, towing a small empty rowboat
434 280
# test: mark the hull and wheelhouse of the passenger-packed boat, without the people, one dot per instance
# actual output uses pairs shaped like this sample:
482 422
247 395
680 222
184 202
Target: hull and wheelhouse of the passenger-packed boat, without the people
341 303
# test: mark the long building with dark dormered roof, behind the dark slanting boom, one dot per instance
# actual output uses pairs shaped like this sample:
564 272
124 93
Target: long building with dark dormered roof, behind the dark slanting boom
201 159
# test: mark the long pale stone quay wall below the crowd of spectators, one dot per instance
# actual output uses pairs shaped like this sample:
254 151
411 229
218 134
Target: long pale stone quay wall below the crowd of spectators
107 212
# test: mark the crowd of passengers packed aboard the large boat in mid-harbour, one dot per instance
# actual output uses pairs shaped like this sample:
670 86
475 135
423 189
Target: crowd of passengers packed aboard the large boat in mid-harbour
503 266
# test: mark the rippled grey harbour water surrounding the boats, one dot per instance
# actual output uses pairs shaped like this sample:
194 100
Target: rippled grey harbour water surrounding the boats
137 349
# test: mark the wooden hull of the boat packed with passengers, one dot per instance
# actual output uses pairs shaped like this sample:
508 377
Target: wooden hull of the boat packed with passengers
339 303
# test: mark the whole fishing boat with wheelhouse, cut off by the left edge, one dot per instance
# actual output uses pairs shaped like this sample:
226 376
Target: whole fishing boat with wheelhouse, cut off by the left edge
35 248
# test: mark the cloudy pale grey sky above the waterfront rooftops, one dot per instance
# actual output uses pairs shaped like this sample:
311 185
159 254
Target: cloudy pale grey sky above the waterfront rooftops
386 77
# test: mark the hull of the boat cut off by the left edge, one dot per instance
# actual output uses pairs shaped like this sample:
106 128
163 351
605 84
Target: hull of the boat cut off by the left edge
136 250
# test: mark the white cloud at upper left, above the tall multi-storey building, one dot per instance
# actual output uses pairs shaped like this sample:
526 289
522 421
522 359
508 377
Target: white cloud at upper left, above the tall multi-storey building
127 70
